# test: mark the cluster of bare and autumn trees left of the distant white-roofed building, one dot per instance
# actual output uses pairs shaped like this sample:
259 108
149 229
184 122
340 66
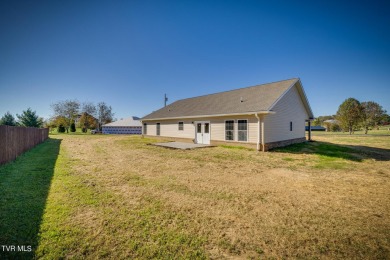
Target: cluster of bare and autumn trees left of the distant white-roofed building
68 113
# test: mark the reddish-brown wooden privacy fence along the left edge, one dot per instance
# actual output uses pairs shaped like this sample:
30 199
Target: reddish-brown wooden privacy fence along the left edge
15 140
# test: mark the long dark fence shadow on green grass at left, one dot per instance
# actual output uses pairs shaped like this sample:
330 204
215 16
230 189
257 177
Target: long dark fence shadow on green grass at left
24 187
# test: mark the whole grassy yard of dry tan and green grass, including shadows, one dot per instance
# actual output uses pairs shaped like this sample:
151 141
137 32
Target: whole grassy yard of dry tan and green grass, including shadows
98 196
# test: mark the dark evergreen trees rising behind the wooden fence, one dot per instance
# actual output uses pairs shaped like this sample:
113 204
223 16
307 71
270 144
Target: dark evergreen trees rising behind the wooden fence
27 118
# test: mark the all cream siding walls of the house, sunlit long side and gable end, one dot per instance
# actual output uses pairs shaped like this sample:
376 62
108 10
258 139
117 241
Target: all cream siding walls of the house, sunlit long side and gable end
289 108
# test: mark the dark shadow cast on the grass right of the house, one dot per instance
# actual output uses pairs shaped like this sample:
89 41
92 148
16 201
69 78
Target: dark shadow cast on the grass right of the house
348 152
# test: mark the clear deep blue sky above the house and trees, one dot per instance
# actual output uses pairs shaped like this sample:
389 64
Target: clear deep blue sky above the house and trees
129 53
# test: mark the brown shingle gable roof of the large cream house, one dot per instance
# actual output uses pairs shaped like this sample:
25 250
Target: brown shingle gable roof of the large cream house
255 99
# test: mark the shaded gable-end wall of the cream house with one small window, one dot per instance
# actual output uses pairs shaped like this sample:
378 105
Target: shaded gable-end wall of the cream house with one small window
290 108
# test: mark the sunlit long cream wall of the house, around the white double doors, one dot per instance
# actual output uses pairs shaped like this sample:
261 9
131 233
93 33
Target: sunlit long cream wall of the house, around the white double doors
169 128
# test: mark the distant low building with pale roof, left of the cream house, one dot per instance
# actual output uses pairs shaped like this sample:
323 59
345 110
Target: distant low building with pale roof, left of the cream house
131 125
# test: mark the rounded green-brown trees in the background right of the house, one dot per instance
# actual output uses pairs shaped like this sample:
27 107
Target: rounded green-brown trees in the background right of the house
354 115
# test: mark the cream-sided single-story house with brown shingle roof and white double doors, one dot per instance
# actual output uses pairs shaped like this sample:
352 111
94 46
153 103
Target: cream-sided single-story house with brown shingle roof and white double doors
267 115
